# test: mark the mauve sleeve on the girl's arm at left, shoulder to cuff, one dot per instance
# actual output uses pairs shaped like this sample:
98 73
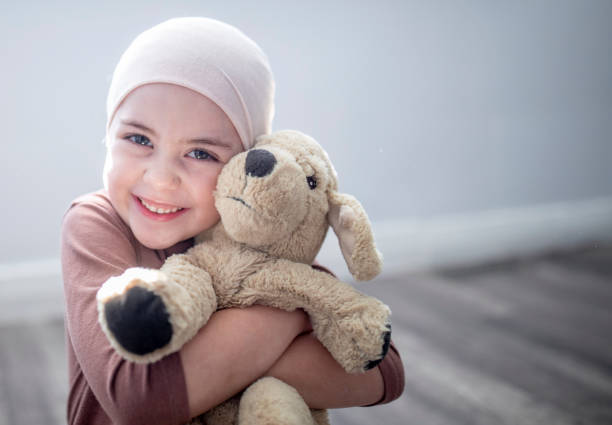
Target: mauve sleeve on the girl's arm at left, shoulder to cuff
95 246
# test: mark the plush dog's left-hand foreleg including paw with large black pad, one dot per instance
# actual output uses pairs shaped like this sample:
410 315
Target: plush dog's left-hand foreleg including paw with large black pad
148 314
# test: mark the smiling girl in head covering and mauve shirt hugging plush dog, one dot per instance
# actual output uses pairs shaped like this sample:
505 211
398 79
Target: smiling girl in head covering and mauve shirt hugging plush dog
186 96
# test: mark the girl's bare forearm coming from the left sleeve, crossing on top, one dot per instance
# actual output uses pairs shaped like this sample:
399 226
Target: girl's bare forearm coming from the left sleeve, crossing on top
235 348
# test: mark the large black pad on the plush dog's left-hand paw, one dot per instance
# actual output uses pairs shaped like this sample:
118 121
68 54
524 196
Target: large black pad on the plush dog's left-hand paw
139 321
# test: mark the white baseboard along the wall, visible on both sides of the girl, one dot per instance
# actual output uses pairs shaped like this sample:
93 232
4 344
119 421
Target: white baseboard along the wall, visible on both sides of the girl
408 245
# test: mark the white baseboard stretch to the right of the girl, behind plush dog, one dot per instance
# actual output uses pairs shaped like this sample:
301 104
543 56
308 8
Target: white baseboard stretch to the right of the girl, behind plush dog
412 245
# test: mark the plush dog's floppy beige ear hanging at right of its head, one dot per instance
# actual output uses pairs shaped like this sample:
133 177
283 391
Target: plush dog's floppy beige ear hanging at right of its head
352 226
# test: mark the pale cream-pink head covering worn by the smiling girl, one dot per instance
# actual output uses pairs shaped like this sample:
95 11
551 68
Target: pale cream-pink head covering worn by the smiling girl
205 55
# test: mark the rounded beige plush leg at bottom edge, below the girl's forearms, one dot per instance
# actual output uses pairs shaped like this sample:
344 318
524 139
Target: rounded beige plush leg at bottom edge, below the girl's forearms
270 401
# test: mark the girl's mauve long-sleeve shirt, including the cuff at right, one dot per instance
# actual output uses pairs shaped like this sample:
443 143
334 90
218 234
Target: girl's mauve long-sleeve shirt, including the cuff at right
103 387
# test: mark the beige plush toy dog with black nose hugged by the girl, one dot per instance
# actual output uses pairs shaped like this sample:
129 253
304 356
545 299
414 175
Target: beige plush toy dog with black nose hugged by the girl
276 202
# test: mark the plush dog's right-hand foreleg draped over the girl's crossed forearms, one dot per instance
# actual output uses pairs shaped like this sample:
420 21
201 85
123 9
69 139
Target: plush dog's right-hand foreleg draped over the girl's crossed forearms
354 327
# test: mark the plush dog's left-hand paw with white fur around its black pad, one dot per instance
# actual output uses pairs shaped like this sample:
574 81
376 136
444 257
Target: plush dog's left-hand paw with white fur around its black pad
134 315
